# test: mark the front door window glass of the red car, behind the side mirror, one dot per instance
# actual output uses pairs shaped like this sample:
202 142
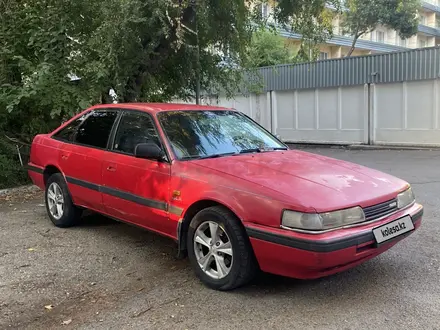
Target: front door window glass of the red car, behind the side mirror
133 129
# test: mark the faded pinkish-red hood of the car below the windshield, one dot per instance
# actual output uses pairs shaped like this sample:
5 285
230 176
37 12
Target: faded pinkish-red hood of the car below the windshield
308 180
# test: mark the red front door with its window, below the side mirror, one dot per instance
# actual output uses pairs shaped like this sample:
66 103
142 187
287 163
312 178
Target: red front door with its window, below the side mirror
136 190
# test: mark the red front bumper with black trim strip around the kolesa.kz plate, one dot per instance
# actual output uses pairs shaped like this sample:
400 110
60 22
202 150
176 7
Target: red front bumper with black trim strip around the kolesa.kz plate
306 256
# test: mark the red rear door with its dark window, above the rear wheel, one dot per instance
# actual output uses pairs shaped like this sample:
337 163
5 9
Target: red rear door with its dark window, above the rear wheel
81 157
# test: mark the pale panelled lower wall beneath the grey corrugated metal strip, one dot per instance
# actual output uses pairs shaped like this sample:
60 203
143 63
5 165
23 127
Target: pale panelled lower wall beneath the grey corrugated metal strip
406 113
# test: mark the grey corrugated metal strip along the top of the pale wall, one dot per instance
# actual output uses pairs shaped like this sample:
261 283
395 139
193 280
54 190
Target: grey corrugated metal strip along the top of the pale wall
417 64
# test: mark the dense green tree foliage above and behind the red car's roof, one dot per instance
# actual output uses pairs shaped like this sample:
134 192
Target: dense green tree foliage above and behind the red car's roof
146 50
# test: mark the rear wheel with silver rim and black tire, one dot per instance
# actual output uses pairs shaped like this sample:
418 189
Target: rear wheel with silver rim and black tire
70 213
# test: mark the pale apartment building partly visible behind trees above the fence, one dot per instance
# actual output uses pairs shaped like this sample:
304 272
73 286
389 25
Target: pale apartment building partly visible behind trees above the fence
379 41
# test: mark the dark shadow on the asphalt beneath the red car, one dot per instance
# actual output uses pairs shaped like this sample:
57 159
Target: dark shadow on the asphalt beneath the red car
361 277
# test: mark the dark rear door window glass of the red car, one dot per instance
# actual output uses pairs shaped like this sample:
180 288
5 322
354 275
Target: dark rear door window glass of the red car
96 129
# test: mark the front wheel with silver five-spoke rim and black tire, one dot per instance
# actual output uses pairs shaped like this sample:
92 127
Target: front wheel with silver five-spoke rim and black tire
235 270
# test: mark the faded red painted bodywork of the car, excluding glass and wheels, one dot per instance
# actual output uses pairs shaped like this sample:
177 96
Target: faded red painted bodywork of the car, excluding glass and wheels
256 187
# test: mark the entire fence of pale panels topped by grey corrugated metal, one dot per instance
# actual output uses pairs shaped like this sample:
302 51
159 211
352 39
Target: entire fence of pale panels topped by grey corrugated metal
390 98
